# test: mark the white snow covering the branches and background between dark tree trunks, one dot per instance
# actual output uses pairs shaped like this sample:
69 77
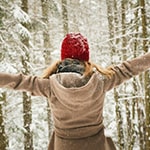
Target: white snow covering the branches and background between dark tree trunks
91 21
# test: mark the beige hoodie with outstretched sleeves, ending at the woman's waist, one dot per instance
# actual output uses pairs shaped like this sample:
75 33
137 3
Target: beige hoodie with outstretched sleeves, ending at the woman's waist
77 106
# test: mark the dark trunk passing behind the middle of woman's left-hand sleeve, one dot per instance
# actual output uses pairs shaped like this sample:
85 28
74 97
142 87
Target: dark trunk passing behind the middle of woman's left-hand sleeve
27 112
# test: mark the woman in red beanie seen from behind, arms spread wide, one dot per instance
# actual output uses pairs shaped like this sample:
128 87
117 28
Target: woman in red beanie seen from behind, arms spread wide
76 89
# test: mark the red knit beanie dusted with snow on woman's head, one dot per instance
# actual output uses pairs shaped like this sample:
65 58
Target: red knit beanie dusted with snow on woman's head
75 46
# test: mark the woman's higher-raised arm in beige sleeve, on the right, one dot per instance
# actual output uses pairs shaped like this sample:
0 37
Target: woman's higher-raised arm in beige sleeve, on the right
127 70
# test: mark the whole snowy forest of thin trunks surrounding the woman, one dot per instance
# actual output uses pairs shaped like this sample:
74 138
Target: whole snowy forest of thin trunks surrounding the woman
31 32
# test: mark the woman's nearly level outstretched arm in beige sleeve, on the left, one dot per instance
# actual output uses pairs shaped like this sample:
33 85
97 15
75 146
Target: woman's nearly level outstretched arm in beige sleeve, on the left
33 84
